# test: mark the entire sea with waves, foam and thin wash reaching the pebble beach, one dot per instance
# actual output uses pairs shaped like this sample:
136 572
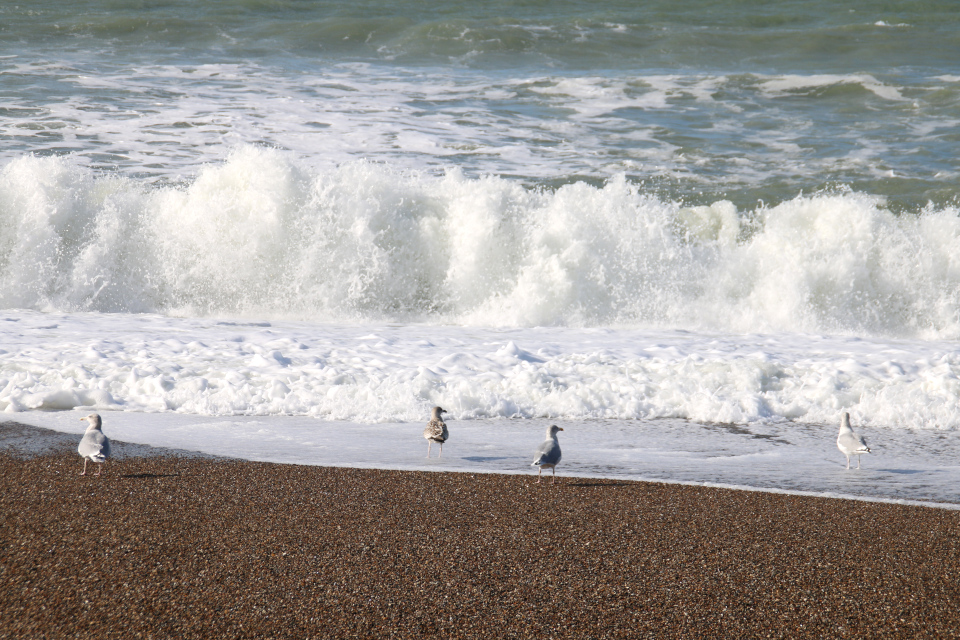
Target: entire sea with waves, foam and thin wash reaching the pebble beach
294 216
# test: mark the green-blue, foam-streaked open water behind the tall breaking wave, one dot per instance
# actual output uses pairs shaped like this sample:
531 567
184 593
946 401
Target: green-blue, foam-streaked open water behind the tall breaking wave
747 101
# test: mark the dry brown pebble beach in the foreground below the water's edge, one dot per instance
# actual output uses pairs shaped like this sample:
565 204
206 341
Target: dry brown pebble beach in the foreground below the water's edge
169 546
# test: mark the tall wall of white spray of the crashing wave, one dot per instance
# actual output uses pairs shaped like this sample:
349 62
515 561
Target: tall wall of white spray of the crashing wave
261 235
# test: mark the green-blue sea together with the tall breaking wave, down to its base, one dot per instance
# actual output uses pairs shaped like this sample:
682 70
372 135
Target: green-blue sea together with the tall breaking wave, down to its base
736 166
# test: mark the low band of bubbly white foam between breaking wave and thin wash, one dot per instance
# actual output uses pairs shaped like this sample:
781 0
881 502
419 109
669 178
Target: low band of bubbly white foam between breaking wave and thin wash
381 373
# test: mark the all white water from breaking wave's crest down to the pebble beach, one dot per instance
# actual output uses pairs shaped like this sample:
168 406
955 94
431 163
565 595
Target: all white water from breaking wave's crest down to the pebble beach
270 313
